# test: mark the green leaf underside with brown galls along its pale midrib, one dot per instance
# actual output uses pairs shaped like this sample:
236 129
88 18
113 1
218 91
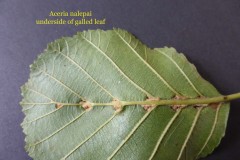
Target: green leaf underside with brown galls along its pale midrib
74 101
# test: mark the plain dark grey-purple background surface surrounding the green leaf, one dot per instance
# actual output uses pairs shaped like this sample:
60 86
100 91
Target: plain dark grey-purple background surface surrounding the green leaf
207 31
